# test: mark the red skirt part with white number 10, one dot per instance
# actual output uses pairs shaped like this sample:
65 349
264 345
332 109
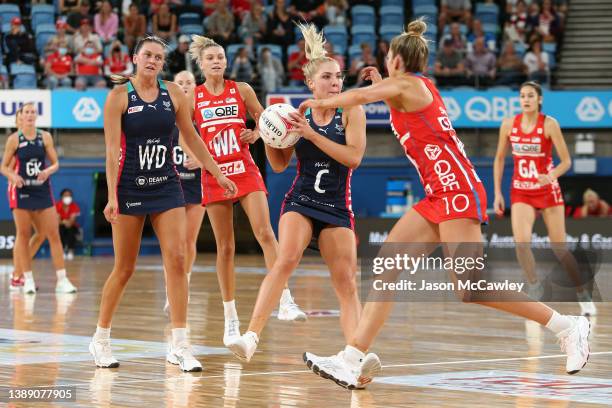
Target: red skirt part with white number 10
451 205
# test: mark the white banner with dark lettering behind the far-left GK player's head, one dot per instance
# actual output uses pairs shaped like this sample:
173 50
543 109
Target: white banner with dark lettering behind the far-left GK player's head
12 100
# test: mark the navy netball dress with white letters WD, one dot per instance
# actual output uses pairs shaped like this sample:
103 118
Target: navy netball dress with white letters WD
148 181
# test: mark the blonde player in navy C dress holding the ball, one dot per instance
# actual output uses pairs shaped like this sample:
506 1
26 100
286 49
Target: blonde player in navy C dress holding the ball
318 205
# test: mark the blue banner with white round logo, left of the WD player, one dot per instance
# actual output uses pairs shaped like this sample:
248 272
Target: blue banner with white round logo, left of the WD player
74 109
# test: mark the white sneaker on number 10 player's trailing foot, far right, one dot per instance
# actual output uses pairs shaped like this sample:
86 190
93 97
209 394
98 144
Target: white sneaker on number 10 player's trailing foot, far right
575 343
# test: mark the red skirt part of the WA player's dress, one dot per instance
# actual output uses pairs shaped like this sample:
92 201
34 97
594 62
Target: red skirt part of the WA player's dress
244 173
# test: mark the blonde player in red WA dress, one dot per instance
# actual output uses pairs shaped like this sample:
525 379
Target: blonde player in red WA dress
220 111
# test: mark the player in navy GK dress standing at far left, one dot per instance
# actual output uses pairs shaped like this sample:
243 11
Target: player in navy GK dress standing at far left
30 196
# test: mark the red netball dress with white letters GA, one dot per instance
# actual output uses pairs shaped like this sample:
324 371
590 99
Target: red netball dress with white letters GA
532 153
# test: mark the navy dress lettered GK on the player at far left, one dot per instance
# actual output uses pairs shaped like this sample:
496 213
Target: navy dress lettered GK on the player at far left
30 161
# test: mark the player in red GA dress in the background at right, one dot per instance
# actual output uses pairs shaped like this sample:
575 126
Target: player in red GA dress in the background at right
532 135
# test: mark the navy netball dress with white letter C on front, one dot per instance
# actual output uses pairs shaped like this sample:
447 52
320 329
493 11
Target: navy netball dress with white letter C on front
321 189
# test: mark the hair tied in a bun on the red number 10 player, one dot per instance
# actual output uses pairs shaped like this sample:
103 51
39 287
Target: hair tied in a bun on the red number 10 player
412 46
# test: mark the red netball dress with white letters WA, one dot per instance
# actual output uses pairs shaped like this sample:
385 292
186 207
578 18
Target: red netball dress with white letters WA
220 119
